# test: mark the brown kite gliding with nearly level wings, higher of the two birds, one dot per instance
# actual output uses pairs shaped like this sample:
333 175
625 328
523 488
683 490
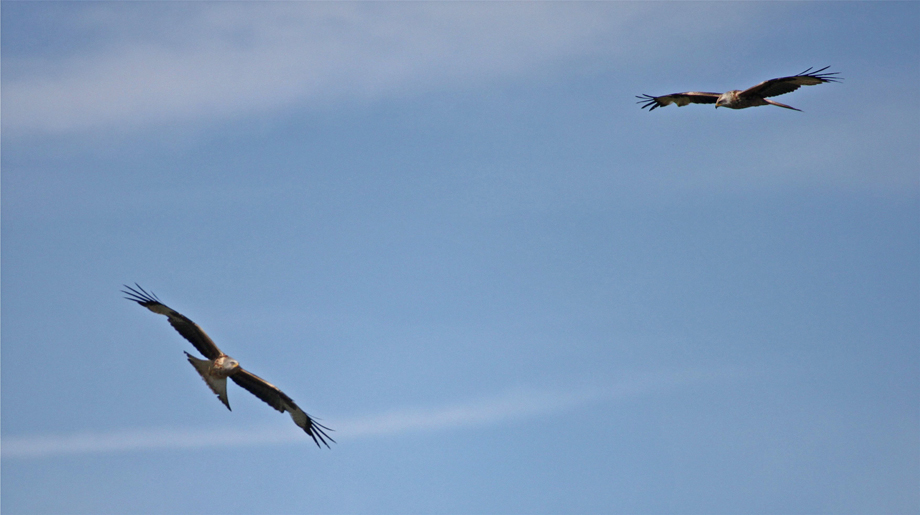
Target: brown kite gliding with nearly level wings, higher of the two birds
751 97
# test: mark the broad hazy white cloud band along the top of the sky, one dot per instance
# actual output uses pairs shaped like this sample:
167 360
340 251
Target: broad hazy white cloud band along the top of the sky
208 61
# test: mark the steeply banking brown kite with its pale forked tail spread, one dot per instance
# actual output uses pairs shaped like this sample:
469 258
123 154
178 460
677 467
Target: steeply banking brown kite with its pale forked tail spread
218 367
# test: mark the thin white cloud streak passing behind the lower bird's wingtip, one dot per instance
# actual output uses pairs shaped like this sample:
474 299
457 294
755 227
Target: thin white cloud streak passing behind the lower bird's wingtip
517 404
